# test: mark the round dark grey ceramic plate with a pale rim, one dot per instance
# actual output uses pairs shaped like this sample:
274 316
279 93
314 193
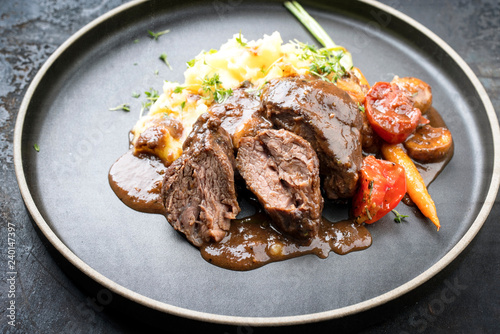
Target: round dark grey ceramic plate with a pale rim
139 256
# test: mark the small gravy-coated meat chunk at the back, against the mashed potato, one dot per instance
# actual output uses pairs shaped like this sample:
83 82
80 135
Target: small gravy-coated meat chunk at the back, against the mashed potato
241 115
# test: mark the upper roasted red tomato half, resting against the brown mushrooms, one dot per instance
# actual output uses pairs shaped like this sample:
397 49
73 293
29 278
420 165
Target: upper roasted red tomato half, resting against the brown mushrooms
391 112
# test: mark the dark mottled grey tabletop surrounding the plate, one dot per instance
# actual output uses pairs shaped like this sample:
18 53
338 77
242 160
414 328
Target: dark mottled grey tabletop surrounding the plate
51 297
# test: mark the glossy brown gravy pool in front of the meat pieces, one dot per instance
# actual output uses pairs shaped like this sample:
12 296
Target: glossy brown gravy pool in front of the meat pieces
252 242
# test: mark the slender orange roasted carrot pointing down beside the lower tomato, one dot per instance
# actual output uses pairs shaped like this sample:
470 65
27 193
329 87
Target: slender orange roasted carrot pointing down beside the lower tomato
416 188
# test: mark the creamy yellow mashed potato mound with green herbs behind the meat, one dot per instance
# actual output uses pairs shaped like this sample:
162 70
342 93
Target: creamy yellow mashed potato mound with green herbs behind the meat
211 72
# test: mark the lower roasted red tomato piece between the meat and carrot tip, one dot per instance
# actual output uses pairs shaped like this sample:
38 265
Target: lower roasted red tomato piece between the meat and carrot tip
382 186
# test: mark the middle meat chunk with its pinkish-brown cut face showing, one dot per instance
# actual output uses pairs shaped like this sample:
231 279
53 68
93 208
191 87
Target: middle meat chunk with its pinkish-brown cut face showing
282 170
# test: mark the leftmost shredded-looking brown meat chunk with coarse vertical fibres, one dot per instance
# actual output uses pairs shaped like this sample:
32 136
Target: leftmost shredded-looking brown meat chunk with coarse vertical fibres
198 190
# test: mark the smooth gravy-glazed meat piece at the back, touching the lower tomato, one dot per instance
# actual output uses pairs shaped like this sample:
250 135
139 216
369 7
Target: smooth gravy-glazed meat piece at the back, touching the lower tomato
326 117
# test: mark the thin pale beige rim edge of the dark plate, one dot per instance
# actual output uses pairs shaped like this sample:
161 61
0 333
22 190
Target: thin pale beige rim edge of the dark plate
258 321
